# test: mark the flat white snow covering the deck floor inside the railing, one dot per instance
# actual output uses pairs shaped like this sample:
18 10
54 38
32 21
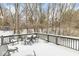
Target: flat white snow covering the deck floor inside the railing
43 48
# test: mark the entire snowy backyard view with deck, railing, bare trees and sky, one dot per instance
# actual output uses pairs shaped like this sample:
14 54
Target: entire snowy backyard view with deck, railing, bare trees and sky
39 29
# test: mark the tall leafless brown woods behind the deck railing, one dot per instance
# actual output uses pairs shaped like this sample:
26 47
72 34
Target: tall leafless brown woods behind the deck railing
56 18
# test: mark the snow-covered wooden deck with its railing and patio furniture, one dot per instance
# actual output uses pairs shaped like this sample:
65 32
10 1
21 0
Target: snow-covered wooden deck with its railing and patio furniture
58 44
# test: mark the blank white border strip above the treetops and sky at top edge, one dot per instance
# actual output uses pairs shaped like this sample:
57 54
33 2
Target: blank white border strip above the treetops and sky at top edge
39 1
